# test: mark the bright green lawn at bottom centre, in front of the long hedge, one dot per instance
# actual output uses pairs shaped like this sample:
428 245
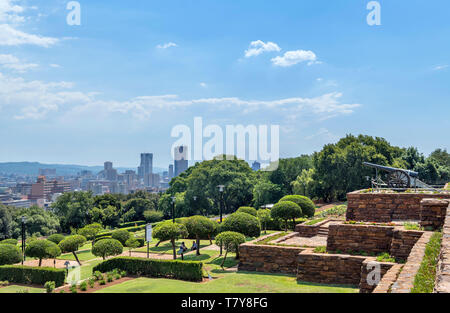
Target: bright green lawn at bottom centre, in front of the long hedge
241 282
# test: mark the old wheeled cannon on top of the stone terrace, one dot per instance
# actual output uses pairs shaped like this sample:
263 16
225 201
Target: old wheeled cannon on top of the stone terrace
398 178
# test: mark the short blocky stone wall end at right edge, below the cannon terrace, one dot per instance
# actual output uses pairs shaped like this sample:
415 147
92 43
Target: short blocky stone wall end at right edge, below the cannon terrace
432 212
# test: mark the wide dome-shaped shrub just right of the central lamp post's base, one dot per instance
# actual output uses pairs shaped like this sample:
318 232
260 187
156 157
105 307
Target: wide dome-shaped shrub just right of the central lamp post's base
243 223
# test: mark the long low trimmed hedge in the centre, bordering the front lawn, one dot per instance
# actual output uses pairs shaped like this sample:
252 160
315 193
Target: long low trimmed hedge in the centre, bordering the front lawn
183 270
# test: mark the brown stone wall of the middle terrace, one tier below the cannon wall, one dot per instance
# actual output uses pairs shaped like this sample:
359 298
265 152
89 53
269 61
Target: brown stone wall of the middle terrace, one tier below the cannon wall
355 238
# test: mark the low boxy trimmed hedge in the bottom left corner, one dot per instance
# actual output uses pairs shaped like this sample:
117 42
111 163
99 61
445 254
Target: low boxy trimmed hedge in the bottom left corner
32 275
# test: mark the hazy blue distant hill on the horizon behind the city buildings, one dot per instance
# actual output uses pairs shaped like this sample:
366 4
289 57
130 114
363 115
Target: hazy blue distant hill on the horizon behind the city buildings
32 168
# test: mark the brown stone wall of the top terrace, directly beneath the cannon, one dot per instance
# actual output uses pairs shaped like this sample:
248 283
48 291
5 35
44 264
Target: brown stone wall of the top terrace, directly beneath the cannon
386 207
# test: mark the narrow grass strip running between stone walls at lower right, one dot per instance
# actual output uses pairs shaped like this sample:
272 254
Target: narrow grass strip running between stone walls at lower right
425 278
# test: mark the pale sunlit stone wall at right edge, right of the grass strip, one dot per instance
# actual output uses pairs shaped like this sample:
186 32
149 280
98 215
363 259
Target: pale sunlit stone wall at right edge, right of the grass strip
442 284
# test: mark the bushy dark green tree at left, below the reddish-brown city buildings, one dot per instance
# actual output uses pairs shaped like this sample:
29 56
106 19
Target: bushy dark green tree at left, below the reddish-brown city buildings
73 209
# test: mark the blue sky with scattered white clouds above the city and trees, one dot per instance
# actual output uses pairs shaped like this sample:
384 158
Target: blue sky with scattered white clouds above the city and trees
116 85
